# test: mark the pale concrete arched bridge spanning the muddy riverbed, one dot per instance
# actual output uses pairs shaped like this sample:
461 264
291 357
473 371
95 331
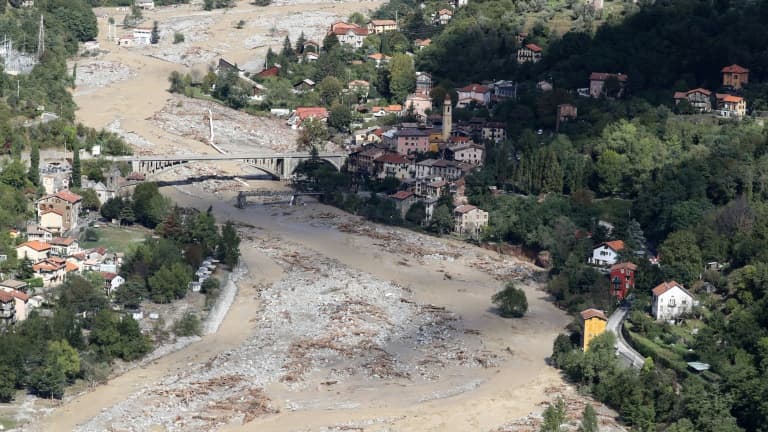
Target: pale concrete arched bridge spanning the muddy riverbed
279 165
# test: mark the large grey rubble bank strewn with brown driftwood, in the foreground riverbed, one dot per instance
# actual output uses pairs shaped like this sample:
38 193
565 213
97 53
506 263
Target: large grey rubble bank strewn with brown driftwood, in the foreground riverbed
322 323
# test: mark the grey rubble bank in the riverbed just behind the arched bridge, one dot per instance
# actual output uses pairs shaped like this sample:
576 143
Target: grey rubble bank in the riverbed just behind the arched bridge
235 131
